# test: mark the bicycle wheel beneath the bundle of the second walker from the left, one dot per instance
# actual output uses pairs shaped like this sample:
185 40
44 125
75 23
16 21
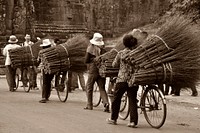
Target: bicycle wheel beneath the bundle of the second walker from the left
62 90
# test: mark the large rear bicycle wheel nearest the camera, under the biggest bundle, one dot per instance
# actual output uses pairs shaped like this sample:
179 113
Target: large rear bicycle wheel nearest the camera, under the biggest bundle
154 107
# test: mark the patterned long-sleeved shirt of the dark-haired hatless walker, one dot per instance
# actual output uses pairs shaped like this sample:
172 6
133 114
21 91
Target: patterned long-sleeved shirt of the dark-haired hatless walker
124 68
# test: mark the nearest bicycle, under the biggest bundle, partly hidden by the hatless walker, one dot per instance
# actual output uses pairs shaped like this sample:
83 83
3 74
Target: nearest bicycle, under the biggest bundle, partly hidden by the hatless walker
149 103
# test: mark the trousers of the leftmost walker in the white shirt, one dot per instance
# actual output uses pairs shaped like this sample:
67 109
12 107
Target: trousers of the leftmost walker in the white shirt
10 76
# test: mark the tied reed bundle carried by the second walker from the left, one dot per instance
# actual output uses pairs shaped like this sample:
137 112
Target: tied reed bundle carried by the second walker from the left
66 56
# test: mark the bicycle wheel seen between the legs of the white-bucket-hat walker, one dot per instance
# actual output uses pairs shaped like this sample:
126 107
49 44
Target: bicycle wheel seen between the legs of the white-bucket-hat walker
96 96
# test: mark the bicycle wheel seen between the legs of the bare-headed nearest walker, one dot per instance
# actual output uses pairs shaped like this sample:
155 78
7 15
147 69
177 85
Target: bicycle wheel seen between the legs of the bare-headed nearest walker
124 108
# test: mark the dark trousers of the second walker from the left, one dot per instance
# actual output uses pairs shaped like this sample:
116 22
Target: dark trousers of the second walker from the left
46 90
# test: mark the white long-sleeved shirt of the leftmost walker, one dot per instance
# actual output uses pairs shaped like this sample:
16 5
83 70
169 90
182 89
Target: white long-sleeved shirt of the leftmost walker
6 53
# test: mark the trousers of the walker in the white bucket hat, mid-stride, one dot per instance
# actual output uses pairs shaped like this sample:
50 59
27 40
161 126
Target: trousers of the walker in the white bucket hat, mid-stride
92 78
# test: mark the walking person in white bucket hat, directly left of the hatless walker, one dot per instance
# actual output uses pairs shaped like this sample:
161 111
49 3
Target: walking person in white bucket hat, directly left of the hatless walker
95 49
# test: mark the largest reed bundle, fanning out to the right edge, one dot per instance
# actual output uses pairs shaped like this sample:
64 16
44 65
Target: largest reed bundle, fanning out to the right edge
171 55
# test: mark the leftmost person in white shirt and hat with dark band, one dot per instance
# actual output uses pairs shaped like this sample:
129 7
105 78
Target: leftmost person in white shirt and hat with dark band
10 71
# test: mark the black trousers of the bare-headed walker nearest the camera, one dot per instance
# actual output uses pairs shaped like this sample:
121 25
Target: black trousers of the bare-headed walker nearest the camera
120 89
